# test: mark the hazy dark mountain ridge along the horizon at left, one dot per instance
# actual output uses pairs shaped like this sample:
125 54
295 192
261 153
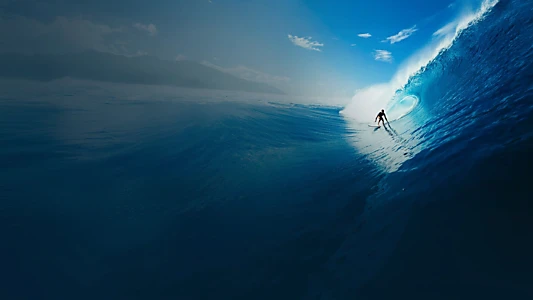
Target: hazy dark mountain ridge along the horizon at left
107 67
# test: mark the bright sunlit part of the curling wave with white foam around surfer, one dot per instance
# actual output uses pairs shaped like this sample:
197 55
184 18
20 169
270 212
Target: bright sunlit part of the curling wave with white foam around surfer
467 76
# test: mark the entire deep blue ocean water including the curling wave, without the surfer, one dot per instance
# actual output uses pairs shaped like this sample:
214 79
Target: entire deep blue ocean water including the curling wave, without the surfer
136 192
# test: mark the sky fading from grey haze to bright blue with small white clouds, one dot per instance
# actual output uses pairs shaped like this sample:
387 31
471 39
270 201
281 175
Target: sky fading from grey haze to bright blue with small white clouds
304 47
